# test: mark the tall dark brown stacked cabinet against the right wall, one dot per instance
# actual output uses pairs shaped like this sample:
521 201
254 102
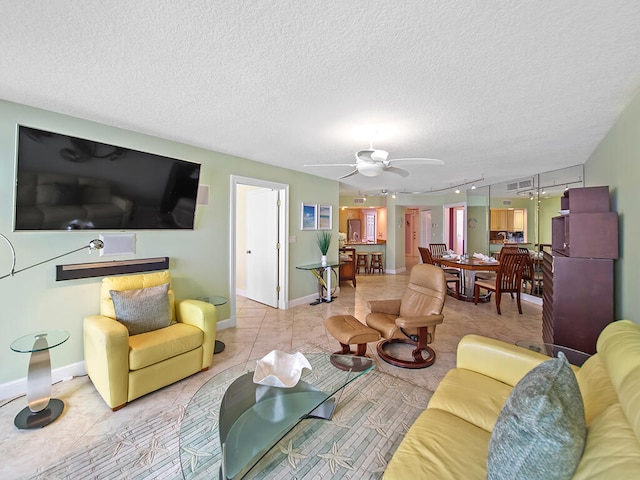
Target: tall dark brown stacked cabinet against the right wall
578 297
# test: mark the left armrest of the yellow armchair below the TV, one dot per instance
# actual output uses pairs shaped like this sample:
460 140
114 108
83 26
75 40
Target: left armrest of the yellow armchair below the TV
106 357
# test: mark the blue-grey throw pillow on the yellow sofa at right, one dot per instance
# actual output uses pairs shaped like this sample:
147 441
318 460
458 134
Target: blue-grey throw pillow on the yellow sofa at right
540 432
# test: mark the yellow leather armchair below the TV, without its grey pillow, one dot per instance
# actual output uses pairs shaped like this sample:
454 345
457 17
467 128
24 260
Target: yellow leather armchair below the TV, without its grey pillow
124 367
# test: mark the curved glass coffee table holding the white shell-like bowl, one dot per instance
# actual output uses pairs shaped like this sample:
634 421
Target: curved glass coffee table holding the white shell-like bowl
231 423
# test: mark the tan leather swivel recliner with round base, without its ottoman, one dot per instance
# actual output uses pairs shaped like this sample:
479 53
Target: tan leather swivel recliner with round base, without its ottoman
413 318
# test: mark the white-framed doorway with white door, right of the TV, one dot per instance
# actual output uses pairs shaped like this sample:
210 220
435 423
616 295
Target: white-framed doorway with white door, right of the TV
239 240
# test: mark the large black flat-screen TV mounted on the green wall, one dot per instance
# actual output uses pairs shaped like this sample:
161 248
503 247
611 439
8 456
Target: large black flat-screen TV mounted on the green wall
68 183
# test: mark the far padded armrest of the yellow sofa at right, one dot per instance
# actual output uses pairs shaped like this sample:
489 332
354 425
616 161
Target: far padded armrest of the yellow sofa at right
502 361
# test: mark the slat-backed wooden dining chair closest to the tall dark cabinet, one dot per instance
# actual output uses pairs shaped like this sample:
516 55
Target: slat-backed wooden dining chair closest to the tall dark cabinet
508 279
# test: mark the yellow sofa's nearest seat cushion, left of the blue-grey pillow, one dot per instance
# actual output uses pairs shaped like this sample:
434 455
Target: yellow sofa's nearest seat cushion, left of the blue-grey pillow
440 446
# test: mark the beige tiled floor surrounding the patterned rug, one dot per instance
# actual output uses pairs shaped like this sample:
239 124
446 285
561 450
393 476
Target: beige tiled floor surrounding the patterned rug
260 329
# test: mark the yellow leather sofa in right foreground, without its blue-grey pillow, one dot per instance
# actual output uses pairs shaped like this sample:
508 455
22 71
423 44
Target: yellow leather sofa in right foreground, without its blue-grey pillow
450 439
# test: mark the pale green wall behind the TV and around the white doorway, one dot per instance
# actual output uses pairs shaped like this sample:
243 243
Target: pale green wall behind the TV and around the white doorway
33 301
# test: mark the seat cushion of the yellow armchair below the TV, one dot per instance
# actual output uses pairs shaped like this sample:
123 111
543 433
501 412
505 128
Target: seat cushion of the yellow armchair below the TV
154 347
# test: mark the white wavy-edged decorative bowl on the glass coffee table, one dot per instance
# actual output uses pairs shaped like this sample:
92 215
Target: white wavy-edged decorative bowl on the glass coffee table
280 369
